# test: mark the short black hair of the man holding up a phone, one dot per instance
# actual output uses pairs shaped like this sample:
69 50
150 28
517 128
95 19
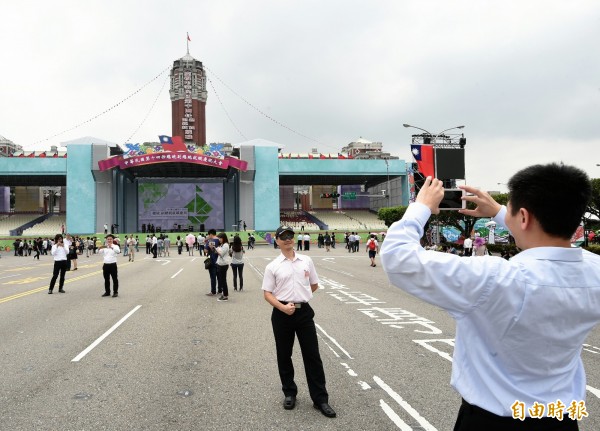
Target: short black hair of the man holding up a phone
556 195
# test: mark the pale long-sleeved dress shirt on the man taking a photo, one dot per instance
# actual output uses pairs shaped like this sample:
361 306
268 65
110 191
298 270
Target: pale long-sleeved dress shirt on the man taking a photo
520 324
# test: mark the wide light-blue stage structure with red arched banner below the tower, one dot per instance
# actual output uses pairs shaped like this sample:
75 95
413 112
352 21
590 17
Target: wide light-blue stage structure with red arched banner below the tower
103 185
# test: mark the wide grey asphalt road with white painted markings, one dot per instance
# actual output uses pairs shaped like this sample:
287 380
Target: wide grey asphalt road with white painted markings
180 360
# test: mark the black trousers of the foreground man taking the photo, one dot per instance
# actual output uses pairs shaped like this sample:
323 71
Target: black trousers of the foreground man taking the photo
474 418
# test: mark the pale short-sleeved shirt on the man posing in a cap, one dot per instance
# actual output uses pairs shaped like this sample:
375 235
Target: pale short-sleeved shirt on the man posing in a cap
290 280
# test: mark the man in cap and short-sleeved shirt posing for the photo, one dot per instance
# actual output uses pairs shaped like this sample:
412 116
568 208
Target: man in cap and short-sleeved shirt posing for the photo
288 285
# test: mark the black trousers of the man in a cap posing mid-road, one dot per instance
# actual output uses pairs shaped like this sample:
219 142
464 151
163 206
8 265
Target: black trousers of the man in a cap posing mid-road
285 329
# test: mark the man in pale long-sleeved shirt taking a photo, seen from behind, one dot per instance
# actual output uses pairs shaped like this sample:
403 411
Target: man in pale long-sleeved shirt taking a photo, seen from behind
520 323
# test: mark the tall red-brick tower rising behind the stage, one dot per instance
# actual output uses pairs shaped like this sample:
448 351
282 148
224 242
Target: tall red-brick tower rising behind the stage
188 100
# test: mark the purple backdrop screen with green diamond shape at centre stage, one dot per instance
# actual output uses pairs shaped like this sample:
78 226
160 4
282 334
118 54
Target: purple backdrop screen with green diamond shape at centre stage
167 205
